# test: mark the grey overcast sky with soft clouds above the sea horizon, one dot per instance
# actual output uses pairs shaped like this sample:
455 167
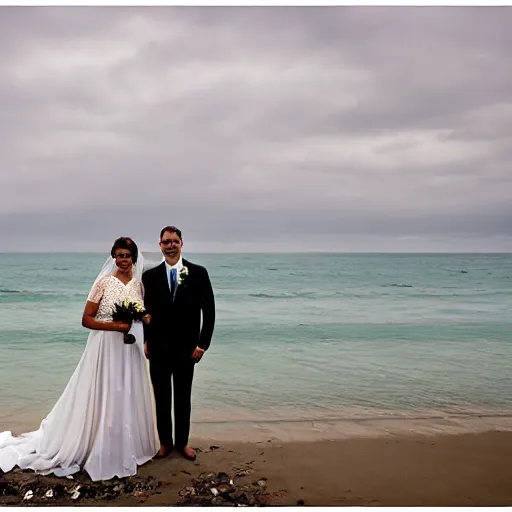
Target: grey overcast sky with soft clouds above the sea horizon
301 129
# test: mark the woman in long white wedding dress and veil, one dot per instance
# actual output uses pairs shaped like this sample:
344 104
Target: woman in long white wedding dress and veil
103 422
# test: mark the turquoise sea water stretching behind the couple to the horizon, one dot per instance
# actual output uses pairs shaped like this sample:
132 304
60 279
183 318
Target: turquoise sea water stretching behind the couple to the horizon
298 336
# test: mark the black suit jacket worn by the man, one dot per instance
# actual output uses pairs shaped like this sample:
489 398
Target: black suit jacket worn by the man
175 327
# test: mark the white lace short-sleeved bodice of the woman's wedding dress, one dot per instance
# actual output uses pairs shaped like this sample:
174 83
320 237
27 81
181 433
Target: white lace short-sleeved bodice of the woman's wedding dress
109 290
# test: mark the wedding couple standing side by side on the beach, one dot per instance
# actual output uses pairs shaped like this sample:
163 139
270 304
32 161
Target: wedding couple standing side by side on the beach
104 421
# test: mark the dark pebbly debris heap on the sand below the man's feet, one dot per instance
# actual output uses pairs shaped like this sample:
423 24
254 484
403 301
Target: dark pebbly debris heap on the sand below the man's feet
219 489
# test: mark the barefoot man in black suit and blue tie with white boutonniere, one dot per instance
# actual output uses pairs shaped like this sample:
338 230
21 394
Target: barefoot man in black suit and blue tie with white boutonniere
176 293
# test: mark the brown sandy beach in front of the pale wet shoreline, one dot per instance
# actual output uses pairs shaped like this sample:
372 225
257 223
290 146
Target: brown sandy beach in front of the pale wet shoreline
394 470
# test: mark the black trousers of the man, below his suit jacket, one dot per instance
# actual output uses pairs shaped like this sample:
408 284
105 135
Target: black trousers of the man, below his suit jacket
172 381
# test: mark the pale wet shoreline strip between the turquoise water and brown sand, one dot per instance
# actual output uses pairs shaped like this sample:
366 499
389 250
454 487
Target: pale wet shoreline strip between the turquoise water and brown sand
250 427
